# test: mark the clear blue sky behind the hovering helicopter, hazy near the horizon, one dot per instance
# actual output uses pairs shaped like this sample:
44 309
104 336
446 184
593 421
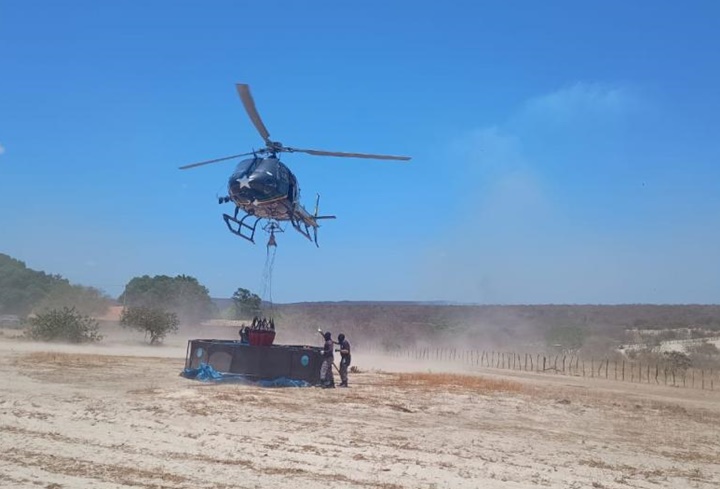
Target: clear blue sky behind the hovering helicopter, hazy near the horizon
563 152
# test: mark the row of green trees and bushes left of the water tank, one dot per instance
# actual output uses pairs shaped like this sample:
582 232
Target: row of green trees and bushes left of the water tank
56 310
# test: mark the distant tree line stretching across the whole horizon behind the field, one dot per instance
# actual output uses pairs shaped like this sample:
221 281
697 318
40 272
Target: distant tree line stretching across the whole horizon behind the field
159 304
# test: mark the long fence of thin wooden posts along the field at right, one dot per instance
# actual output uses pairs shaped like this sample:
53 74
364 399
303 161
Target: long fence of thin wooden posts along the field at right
637 371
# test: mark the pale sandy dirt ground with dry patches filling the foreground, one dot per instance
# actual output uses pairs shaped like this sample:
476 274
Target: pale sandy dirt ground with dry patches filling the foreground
118 415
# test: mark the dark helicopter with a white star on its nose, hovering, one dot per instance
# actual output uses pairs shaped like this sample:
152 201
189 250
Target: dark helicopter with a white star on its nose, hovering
263 187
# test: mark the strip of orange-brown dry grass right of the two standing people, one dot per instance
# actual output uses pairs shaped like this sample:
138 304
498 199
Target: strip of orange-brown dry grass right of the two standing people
473 383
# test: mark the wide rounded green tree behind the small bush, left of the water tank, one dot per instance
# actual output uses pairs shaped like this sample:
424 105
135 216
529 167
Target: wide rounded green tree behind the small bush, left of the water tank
182 295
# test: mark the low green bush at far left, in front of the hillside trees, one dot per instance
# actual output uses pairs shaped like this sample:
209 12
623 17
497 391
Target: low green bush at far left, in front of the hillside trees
65 324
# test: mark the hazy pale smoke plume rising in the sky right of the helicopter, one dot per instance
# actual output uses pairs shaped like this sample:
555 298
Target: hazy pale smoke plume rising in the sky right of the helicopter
513 239
